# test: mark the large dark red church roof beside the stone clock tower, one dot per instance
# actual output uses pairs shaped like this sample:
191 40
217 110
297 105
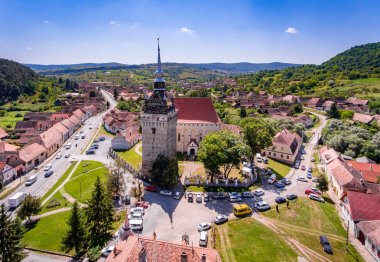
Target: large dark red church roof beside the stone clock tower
196 109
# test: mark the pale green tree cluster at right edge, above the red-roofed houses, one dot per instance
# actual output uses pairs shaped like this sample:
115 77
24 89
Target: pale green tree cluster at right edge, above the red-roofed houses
352 139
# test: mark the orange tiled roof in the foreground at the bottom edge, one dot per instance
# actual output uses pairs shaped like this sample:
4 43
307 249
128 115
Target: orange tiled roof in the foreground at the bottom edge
138 248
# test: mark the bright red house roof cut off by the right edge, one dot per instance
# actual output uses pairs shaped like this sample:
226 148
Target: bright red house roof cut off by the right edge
363 206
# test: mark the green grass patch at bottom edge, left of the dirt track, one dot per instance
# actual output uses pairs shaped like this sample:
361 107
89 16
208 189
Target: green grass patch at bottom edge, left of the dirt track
249 240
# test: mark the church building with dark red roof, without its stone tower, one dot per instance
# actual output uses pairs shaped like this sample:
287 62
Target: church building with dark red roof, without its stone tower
196 118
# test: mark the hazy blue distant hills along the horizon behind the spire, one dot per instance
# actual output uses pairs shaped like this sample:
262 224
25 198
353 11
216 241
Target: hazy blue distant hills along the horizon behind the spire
227 68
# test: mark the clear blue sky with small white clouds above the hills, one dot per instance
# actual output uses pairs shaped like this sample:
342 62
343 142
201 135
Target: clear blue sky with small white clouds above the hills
74 31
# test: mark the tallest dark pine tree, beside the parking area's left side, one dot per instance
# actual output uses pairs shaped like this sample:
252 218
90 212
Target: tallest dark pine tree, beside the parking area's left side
99 215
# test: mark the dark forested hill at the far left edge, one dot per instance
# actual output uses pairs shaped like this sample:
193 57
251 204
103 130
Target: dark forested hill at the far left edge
15 79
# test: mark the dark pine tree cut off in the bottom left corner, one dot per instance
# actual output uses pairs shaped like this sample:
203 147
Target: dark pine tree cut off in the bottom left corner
11 249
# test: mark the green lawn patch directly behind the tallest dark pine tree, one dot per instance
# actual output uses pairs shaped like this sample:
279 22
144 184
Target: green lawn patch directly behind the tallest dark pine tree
81 186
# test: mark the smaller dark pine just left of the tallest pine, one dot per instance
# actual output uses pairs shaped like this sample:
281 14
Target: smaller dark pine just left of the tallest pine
75 237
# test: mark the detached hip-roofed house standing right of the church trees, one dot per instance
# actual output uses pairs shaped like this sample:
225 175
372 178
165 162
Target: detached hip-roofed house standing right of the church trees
285 147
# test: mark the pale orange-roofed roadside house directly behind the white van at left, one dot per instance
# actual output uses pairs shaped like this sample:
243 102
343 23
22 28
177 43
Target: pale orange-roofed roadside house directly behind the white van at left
33 155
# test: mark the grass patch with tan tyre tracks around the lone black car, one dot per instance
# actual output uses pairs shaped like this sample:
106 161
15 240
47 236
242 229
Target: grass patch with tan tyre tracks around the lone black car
306 220
